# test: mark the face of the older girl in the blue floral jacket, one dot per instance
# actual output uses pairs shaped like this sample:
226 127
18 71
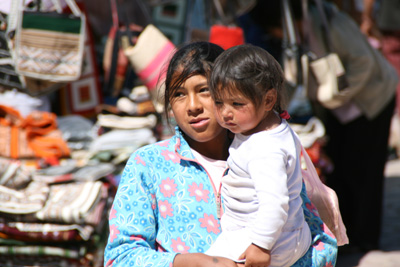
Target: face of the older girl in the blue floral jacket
193 110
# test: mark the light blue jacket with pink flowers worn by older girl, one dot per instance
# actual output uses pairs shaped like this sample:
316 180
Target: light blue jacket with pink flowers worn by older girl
166 204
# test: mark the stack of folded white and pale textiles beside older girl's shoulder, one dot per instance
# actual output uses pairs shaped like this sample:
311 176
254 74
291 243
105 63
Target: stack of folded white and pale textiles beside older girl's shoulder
125 127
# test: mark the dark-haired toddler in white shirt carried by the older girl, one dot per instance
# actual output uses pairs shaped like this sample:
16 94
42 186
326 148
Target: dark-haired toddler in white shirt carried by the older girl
263 220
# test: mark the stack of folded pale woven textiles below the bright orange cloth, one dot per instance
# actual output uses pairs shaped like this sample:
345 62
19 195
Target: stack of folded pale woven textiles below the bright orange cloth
54 216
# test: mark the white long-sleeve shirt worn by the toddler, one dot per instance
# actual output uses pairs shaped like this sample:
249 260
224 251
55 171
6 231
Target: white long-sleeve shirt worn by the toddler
261 194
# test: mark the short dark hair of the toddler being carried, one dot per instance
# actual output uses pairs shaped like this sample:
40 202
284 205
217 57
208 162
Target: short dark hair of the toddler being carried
252 71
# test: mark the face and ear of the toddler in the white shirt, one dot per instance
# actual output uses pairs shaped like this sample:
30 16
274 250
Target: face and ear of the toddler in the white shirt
238 114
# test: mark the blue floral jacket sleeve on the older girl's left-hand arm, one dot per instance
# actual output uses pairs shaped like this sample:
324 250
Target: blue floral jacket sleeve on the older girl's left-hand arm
132 223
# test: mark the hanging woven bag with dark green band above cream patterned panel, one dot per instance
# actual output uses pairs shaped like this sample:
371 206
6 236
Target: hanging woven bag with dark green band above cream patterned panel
50 45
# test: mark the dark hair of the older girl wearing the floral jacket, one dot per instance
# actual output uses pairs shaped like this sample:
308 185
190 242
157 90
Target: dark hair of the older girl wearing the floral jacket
189 60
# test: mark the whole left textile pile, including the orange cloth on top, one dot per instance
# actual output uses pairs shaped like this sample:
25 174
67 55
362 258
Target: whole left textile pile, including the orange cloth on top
53 208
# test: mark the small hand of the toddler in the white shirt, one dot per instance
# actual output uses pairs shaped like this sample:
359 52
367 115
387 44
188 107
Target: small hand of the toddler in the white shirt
256 256
